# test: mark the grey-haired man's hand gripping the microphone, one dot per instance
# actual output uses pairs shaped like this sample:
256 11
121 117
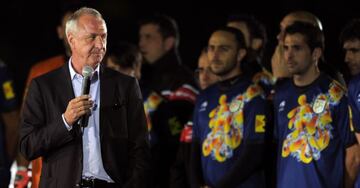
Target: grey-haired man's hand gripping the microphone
76 108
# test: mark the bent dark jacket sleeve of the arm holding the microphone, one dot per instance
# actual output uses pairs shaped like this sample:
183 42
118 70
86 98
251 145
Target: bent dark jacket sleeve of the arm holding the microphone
39 135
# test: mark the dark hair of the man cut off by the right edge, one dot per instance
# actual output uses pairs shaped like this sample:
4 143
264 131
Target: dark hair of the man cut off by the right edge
351 31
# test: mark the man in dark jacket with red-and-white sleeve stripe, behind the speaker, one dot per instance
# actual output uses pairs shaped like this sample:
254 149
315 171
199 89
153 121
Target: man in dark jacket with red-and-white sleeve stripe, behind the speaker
169 92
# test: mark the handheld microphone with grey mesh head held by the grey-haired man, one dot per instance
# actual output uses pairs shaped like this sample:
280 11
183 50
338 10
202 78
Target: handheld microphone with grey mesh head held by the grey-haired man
87 73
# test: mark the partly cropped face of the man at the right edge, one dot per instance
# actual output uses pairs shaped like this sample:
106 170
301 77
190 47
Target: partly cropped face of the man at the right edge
352 55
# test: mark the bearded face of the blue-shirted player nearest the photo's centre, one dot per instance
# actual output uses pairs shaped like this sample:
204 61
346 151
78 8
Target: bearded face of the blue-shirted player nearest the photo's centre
222 53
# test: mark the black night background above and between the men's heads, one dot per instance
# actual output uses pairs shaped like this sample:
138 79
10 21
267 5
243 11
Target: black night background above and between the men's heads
28 28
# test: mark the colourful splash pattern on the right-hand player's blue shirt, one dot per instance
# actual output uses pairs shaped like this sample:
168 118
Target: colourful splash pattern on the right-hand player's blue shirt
311 127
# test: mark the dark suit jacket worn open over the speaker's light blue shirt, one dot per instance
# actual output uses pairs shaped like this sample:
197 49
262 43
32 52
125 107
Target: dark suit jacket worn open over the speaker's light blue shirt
123 133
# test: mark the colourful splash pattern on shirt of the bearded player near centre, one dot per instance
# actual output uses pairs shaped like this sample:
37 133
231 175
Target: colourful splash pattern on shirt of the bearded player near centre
226 124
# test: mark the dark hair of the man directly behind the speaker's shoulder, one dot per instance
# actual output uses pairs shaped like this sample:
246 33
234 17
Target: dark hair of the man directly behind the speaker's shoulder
124 54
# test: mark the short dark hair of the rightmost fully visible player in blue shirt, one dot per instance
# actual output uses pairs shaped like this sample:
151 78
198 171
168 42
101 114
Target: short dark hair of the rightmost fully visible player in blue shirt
314 37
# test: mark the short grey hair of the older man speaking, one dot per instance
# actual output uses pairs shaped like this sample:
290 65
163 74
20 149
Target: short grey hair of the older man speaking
72 22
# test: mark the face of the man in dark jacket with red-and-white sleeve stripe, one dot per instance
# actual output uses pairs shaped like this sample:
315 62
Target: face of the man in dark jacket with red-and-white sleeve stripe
151 43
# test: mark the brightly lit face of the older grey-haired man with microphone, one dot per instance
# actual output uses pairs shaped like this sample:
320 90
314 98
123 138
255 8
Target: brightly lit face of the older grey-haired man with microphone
88 43
